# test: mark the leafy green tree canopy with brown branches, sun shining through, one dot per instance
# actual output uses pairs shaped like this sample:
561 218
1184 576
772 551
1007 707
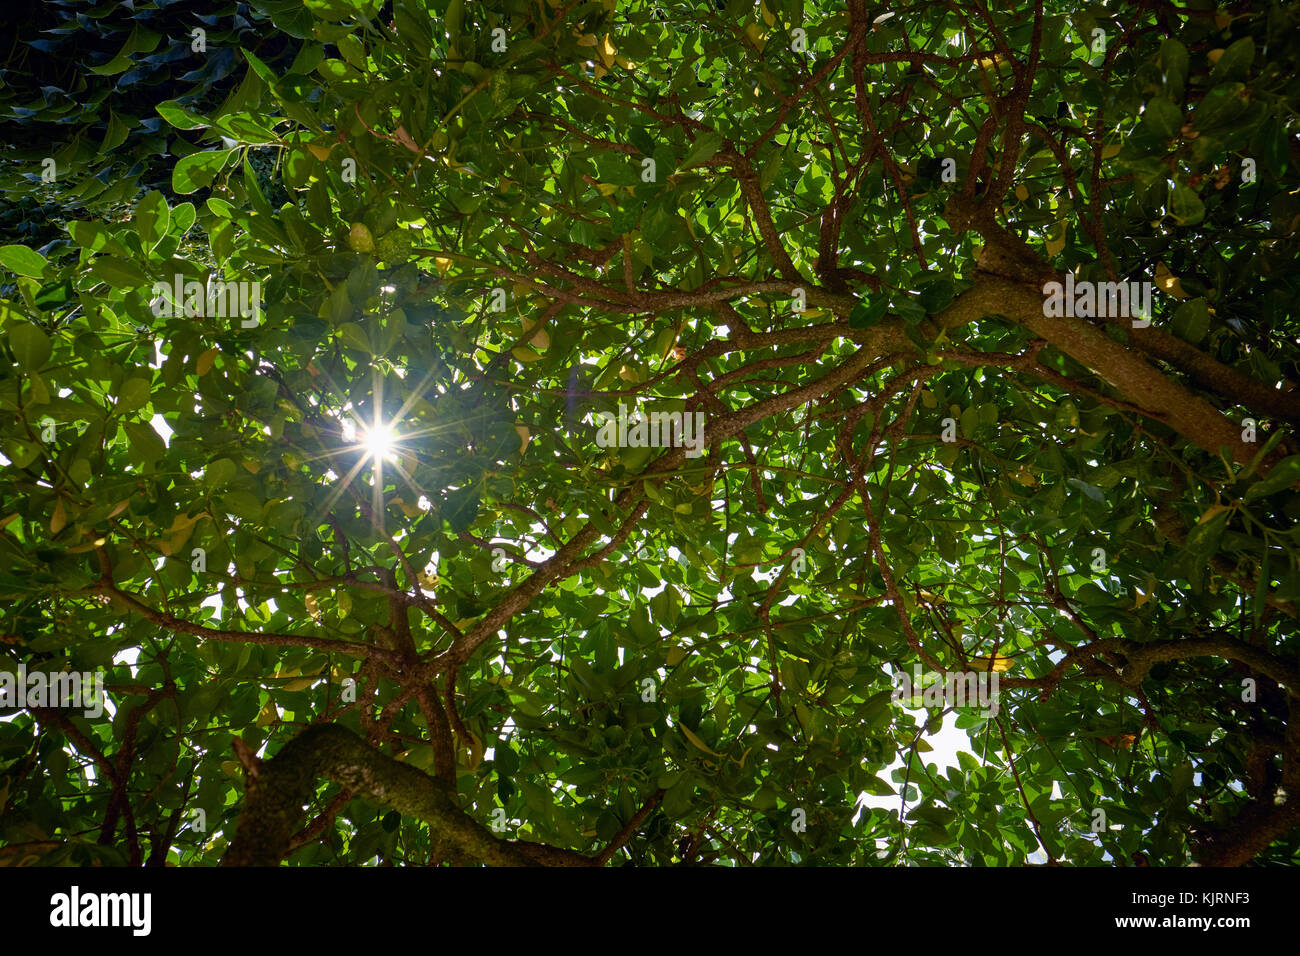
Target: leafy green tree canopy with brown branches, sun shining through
552 432
